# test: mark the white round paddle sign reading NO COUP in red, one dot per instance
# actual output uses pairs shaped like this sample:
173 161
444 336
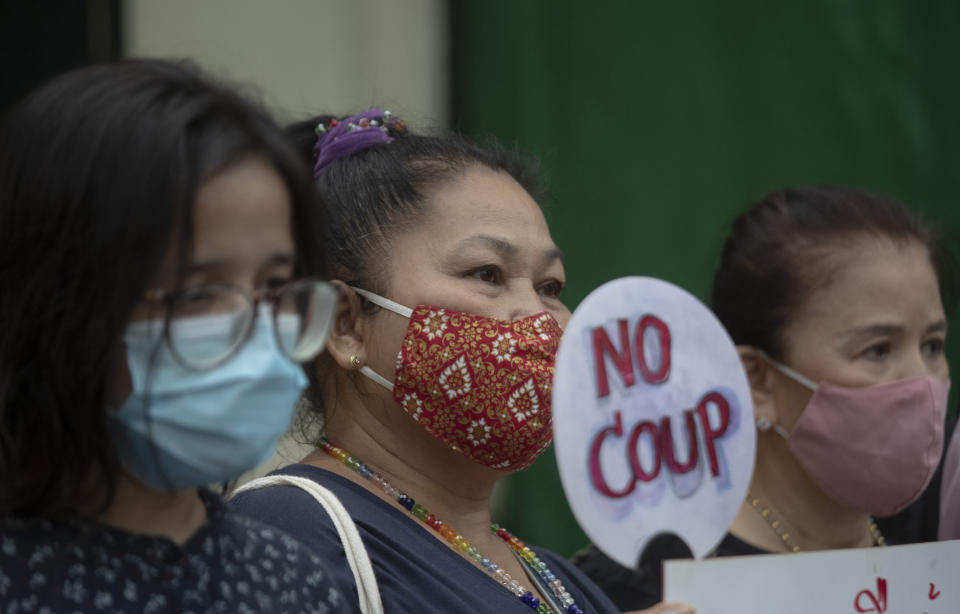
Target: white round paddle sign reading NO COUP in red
653 421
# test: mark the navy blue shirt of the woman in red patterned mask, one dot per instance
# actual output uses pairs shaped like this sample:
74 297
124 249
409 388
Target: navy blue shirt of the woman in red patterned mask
415 571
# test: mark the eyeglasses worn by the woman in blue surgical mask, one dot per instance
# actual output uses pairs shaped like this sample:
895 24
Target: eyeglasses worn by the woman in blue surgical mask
208 325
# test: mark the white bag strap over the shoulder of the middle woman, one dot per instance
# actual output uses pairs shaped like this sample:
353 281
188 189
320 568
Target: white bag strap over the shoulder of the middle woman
367 591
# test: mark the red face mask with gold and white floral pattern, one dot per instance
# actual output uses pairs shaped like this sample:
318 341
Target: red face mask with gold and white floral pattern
480 385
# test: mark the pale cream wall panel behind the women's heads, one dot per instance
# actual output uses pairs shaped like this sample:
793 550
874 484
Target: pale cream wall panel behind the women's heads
306 56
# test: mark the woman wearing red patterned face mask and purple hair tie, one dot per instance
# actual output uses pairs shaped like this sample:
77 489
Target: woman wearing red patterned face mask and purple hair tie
436 382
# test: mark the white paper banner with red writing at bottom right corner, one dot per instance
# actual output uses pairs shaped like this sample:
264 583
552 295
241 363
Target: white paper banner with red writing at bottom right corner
915 579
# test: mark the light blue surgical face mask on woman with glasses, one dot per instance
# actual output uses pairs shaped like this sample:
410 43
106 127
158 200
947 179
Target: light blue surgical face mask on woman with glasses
183 428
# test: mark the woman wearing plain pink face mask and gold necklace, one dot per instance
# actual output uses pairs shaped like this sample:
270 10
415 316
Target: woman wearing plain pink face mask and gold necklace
832 295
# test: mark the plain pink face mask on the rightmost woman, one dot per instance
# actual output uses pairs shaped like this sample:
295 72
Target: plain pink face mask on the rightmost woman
874 448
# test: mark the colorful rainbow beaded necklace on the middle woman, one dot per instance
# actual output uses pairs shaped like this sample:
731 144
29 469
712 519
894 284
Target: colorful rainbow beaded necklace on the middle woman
536 568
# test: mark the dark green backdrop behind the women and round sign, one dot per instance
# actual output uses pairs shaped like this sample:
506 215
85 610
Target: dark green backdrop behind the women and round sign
657 122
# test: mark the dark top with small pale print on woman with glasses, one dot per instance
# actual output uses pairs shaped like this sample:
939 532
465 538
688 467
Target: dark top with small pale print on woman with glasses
231 564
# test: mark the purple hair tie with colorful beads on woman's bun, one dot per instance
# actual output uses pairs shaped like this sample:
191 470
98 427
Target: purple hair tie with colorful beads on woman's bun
339 139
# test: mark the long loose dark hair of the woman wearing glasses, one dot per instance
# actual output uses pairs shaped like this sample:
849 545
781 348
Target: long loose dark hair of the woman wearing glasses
98 173
